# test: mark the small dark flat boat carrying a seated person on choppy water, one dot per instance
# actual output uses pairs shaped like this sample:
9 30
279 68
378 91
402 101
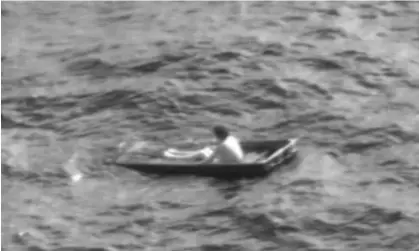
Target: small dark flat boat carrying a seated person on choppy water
270 155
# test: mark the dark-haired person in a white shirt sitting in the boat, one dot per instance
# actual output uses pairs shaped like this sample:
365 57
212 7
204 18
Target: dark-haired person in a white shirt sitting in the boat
227 150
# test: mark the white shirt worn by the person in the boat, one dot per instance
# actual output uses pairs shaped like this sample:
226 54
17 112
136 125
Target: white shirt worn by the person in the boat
229 151
